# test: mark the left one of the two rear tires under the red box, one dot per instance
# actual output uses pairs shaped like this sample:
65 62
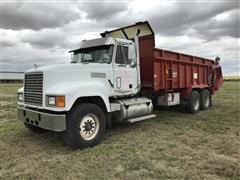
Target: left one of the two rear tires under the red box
193 104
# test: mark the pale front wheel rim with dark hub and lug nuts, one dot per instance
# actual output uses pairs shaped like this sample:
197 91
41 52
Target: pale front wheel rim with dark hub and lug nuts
89 126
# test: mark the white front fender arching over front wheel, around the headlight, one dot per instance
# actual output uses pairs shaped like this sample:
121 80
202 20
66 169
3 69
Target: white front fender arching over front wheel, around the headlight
73 91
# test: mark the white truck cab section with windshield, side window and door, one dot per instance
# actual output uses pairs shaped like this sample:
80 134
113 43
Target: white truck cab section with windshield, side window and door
118 56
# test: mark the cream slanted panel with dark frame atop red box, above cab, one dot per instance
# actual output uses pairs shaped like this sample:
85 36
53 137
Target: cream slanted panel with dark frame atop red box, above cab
129 32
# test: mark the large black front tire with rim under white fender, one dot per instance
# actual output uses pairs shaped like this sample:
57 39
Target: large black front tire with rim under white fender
86 124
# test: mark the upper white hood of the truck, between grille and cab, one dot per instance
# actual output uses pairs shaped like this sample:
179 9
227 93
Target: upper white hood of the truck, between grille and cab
73 73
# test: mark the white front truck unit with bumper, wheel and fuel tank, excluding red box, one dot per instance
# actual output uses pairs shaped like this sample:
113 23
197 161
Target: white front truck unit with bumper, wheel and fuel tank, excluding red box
101 84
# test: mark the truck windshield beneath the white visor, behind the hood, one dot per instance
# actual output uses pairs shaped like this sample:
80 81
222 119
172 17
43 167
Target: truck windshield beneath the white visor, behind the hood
99 54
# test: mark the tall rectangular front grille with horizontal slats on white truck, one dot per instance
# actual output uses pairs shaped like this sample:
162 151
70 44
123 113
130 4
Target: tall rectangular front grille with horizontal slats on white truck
33 88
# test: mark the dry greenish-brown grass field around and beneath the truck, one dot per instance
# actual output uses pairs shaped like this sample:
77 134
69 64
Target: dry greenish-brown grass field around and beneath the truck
174 145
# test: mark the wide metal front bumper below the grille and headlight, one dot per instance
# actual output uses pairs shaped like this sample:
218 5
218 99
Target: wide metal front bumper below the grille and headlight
50 121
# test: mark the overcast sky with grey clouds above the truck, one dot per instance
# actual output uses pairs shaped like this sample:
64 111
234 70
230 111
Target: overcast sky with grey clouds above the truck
42 32
